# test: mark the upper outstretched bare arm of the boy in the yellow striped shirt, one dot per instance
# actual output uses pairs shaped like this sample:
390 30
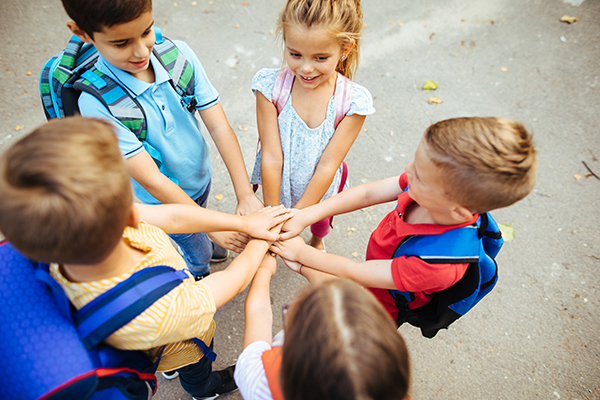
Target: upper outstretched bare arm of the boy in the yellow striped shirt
183 218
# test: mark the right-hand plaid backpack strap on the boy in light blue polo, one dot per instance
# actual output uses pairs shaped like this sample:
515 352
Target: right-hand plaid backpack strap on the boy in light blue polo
181 71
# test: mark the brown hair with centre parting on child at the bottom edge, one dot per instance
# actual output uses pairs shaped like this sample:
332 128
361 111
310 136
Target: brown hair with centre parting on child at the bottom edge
341 344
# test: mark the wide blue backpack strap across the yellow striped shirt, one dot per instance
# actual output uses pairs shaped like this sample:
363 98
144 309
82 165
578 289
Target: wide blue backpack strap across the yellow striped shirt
116 307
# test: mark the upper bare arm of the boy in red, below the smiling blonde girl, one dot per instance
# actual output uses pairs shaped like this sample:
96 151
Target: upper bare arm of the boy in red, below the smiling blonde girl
353 199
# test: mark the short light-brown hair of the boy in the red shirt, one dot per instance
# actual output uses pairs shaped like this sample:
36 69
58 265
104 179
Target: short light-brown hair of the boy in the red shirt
488 162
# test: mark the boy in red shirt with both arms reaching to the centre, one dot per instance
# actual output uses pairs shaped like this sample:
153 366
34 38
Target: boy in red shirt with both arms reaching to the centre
463 167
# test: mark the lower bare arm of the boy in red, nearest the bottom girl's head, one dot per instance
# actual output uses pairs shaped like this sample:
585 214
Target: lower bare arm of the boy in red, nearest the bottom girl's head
374 273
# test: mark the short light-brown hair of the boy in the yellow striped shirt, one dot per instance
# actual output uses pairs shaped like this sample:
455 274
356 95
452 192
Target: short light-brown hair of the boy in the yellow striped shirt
66 195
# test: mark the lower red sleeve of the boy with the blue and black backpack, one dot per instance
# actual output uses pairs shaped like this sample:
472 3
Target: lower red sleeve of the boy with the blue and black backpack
411 274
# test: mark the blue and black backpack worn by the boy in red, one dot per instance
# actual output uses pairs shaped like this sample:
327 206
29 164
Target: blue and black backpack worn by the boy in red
476 244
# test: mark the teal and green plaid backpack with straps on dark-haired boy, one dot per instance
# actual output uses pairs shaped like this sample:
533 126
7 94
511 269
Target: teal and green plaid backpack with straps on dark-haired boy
73 71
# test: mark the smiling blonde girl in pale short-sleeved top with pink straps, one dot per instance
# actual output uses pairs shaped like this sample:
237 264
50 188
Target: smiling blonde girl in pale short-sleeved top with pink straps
299 107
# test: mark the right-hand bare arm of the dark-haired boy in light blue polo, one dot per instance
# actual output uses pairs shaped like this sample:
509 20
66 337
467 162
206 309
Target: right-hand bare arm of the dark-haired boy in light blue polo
226 141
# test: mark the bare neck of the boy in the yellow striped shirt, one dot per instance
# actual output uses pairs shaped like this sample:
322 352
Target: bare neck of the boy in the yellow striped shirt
120 260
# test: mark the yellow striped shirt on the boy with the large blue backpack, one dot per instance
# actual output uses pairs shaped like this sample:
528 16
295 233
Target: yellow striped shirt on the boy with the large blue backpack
185 312
